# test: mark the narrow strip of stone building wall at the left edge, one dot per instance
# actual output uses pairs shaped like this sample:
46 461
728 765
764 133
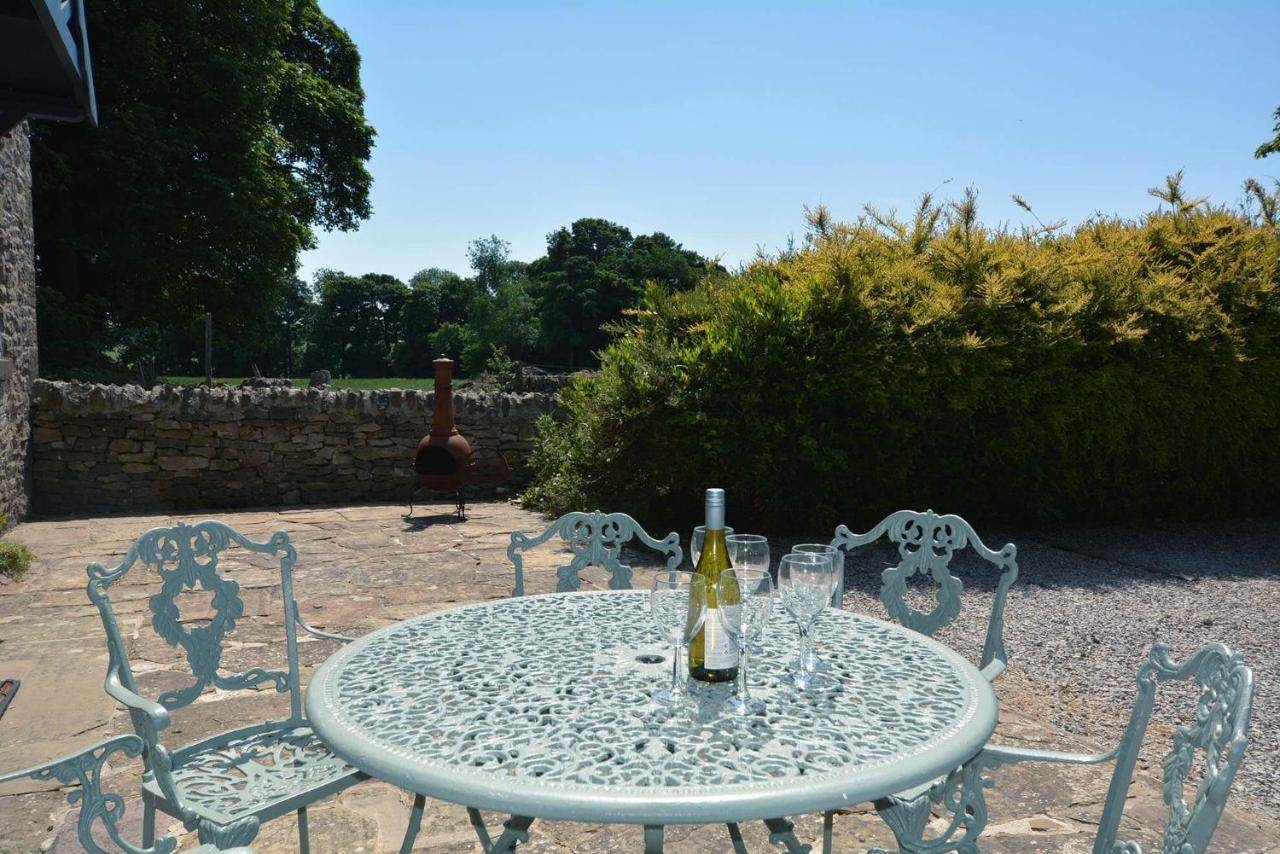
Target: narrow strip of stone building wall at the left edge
17 322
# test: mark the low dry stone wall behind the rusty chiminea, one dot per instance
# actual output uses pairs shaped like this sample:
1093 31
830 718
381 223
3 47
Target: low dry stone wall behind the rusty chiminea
116 449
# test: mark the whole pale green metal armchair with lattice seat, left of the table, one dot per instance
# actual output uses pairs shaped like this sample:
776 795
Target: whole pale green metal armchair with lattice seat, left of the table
228 784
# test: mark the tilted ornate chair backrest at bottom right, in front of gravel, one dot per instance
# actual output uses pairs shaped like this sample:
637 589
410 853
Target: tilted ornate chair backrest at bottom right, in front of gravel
1219 733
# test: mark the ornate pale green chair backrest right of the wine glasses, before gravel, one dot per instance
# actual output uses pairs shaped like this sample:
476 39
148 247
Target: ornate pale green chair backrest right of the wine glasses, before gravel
926 544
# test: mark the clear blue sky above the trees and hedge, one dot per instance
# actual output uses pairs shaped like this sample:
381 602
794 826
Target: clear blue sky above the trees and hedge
717 122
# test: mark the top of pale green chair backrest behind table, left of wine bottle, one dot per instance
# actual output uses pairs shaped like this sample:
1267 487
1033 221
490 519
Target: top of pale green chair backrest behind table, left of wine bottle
596 540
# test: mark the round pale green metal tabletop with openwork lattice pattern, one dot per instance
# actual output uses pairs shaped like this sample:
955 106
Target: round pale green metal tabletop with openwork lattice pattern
540 706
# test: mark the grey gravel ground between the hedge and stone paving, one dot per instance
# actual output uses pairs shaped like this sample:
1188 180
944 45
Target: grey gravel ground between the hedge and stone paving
1090 604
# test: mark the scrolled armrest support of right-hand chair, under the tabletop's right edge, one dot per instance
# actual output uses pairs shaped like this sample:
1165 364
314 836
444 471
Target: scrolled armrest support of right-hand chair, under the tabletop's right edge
962 793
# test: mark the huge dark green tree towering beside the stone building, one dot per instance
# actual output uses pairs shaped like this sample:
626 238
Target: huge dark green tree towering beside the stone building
230 130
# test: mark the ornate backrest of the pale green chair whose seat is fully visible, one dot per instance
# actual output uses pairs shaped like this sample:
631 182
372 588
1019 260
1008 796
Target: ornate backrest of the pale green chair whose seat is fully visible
185 558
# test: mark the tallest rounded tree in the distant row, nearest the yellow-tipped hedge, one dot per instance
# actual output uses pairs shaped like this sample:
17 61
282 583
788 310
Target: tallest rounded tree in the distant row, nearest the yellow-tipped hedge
592 273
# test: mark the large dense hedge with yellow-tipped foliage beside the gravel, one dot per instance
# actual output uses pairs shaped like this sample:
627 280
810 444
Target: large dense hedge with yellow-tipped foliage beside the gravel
1119 371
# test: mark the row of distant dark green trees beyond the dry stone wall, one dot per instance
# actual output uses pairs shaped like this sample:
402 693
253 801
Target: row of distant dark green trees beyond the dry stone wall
555 312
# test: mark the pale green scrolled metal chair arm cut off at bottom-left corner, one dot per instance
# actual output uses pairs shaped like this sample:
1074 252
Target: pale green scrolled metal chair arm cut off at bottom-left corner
98 807
